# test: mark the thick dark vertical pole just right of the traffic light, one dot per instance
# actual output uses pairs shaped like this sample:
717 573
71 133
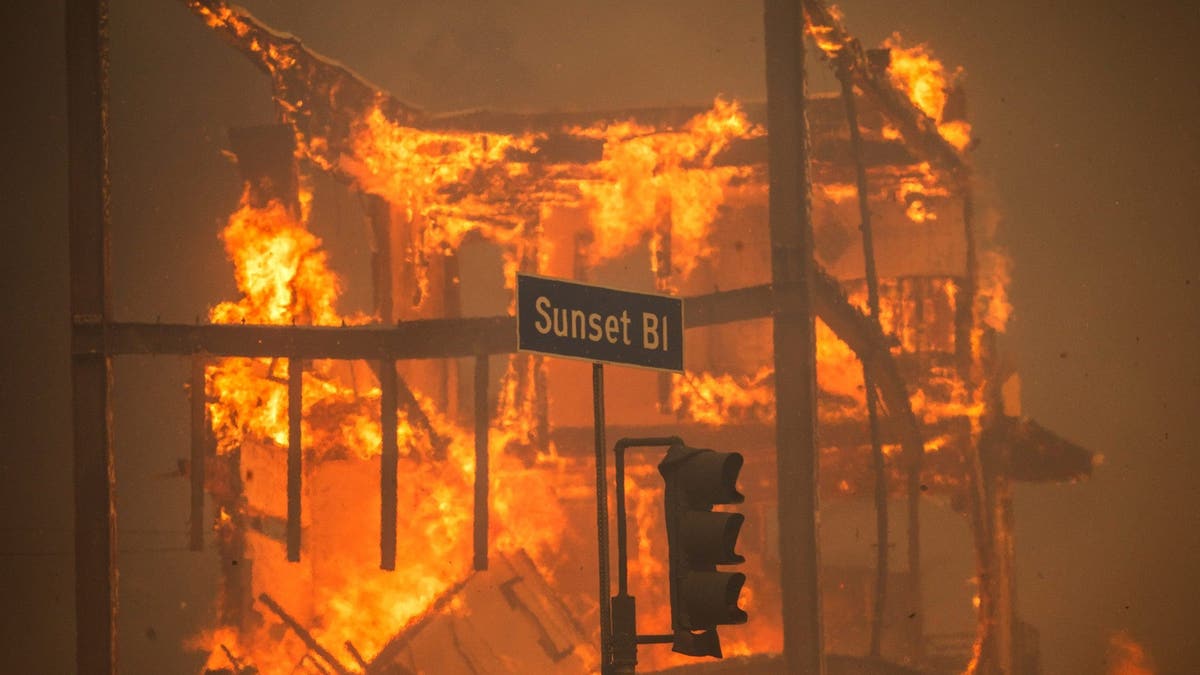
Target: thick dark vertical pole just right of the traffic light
793 271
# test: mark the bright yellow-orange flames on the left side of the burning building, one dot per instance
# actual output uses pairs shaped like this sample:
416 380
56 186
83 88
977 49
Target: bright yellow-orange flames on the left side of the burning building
285 279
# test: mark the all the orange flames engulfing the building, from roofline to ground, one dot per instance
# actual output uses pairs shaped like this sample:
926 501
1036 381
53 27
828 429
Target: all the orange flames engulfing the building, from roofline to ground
658 190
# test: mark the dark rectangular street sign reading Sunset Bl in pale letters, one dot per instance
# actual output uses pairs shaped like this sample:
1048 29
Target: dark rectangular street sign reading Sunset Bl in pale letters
599 325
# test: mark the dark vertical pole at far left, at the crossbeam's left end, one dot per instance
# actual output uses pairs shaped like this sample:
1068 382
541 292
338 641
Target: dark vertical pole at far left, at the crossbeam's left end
92 375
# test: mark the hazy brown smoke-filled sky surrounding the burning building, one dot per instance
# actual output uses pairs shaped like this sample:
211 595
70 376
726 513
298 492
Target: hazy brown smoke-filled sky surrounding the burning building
1088 115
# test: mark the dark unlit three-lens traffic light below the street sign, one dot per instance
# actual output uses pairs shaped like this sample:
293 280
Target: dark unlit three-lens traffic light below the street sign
699 540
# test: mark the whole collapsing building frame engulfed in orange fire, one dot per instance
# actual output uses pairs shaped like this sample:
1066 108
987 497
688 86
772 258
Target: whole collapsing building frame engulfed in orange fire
679 196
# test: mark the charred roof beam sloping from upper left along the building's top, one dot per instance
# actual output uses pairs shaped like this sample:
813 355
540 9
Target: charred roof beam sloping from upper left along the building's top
325 100
